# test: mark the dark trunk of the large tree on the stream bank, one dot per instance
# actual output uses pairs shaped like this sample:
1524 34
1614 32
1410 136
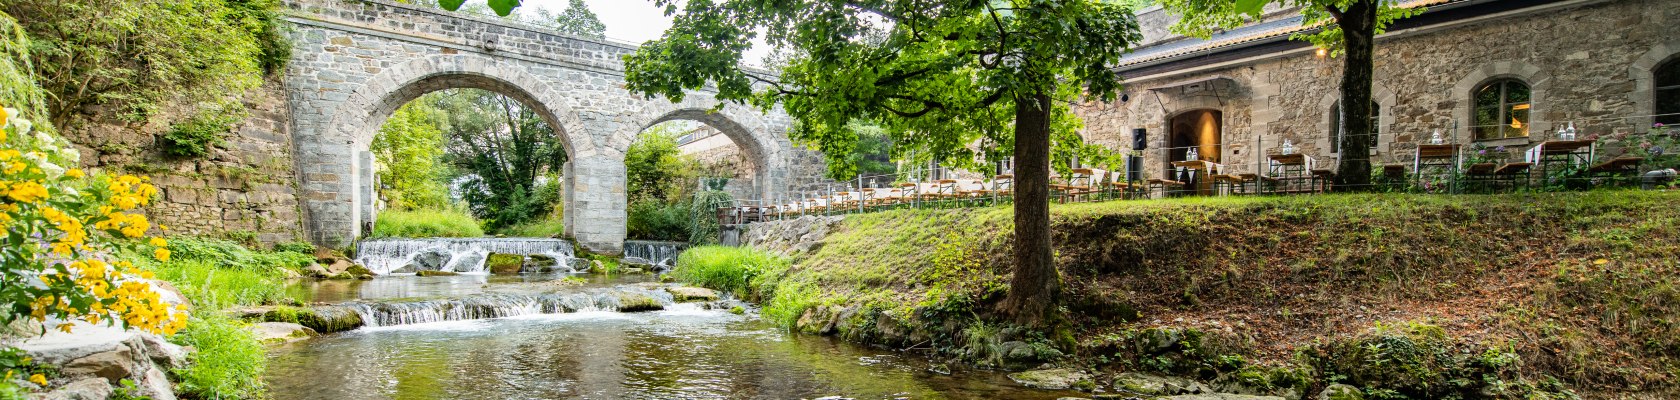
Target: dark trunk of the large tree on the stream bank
1036 285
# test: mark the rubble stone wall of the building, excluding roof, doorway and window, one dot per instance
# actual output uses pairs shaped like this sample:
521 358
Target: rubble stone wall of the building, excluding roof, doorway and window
1583 61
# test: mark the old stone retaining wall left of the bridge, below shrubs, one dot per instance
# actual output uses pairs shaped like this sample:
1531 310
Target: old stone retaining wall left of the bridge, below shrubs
241 191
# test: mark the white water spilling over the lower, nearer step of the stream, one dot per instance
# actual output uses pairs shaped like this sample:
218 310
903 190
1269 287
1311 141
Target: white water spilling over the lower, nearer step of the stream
485 307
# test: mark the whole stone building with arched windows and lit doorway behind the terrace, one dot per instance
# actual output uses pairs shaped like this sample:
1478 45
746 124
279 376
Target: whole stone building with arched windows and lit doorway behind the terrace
1501 73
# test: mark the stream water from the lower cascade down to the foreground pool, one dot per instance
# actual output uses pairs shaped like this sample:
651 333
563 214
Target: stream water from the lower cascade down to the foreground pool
475 337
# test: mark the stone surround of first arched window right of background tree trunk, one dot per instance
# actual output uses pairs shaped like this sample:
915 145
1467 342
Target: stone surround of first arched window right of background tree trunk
1538 82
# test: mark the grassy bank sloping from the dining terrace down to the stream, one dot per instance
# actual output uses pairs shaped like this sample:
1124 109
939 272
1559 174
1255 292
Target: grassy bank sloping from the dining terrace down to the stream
1582 287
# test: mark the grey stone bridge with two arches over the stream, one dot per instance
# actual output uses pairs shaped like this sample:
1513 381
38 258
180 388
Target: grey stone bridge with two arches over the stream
357 61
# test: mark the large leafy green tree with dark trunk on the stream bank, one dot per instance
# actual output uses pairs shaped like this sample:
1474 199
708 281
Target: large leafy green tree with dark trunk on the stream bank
937 76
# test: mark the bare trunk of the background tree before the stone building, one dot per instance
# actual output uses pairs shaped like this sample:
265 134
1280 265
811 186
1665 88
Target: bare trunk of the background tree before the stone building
1358 26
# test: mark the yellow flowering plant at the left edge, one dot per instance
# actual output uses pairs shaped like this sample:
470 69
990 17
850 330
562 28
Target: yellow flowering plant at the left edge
63 234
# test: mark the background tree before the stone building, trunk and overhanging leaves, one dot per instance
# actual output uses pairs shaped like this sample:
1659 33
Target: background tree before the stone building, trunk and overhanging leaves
1347 28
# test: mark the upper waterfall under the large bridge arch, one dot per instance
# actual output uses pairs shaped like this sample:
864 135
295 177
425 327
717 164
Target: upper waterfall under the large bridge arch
386 256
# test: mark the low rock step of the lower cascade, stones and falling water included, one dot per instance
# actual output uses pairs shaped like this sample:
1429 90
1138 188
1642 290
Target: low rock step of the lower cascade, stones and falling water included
352 315
